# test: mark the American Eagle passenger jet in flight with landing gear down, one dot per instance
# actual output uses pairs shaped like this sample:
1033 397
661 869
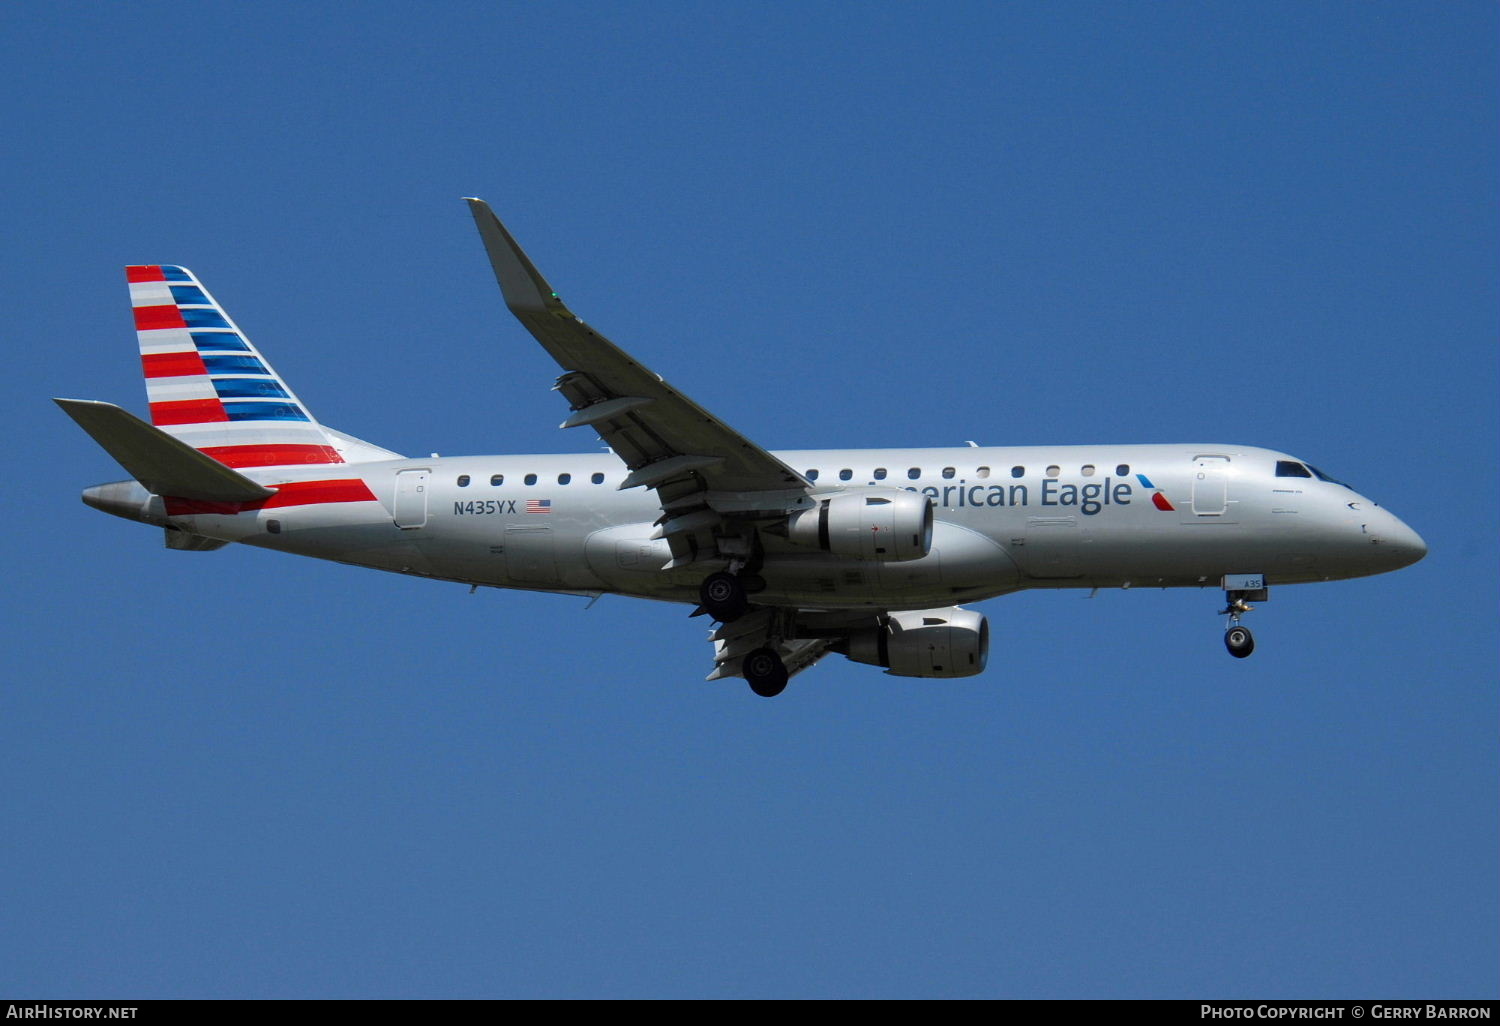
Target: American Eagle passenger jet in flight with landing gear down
794 556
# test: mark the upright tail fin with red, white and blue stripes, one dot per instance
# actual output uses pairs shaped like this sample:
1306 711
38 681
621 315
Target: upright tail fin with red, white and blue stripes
211 388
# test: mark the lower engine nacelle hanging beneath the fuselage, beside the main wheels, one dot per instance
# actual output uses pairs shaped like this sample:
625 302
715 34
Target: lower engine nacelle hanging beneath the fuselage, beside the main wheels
925 643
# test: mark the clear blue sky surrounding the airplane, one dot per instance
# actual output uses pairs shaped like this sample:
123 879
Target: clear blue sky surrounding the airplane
247 775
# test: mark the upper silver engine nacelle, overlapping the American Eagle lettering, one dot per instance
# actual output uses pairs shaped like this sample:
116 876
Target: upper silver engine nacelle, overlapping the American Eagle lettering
884 524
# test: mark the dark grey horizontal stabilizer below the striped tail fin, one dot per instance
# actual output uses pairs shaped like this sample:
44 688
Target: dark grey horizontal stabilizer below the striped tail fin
158 461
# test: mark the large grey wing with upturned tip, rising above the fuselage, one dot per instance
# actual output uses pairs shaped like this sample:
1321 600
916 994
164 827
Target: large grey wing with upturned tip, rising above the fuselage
701 469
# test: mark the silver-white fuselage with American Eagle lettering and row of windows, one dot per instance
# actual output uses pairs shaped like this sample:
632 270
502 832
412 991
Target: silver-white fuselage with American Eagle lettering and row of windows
1006 520
